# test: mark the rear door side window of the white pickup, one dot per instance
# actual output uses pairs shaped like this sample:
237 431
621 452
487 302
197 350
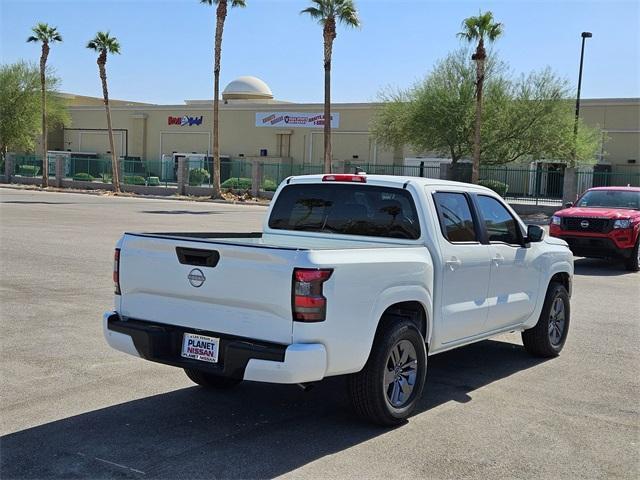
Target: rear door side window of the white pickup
455 217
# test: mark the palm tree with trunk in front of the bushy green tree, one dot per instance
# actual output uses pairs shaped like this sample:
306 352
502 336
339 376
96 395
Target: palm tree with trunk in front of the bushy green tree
478 29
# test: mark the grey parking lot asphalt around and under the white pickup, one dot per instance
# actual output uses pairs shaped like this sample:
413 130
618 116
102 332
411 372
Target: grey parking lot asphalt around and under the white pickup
70 407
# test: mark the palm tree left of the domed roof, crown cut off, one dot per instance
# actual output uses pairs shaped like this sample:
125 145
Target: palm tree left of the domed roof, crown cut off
221 15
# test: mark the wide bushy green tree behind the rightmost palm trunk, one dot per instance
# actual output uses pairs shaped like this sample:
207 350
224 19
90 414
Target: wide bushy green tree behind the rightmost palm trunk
526 118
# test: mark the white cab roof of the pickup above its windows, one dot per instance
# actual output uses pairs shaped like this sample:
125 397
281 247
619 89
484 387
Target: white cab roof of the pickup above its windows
397 181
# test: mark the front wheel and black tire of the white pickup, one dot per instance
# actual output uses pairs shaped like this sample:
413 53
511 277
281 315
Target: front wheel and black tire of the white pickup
548 337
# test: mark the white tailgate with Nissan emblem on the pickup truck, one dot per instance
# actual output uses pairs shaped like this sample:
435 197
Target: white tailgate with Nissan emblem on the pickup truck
247 293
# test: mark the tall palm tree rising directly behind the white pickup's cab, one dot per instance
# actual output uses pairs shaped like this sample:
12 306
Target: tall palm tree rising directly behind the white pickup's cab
327 13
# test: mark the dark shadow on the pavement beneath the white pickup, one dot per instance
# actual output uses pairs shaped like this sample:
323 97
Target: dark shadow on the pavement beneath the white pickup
253 431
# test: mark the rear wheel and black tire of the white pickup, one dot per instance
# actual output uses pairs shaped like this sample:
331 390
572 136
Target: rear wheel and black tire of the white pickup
368 389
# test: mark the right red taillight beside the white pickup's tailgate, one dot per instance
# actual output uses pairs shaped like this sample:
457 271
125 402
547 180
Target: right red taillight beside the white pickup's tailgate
308 303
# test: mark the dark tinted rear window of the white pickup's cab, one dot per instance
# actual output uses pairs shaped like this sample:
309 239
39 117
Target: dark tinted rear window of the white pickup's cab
346 209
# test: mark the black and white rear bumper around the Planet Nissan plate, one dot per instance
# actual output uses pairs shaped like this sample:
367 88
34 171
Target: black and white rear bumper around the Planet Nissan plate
239 357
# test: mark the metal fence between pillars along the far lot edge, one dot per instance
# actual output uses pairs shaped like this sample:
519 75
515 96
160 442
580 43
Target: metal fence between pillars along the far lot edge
521 184
